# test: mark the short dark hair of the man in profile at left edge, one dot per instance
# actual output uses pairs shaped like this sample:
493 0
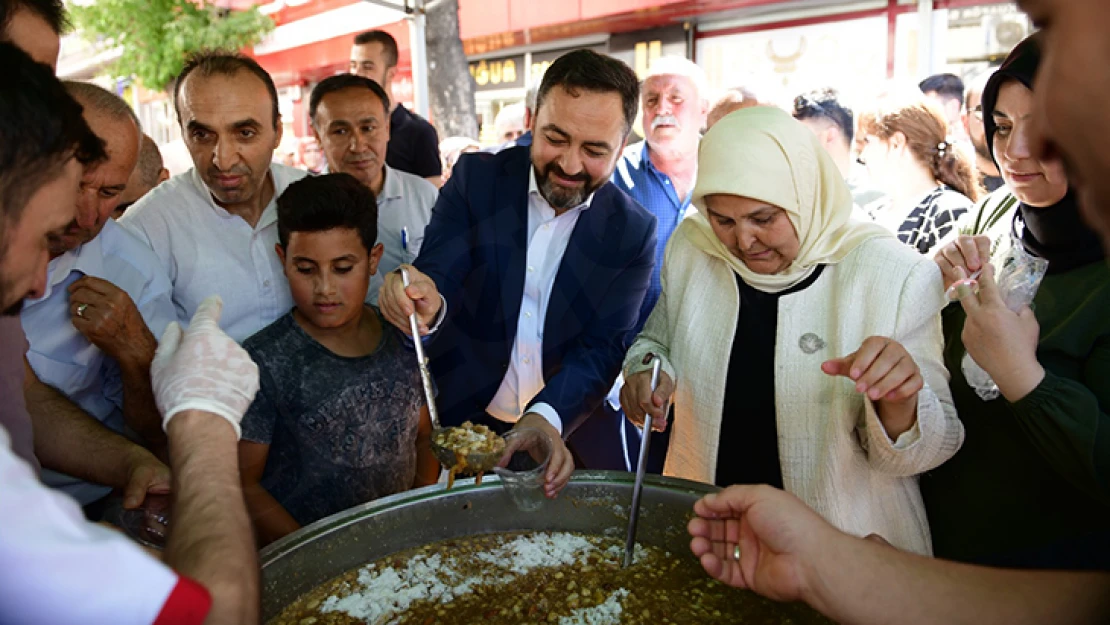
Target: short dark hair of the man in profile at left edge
42 128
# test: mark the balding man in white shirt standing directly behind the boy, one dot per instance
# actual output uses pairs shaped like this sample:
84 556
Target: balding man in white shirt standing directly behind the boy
215 227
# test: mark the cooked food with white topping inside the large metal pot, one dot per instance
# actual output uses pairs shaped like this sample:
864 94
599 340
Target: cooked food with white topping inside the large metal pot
516 579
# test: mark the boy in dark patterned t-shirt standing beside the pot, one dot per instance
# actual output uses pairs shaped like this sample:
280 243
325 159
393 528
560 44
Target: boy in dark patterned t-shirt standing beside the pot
340 418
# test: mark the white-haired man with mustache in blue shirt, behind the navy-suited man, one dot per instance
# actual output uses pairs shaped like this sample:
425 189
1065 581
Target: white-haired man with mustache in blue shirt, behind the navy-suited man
659 174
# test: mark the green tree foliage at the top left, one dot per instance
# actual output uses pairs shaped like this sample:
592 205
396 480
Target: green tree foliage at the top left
158 36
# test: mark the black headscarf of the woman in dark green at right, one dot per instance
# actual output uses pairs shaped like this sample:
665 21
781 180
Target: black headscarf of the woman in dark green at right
1055 234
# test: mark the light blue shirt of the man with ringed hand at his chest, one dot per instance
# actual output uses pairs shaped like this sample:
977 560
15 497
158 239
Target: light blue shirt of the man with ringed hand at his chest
63 358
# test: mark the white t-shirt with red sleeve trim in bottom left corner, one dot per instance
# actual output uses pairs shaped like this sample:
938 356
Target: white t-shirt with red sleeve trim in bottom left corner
58 569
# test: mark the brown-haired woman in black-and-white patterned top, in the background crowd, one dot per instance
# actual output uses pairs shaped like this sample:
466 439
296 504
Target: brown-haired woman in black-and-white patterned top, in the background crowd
930 183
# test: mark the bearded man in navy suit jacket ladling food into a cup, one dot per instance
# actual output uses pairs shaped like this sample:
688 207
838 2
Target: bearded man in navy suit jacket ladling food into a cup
534 267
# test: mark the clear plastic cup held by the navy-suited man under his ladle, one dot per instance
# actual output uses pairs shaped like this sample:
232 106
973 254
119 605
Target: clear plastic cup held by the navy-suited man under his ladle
522 469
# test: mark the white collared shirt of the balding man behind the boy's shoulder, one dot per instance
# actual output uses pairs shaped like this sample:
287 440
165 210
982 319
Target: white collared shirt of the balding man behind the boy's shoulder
206 251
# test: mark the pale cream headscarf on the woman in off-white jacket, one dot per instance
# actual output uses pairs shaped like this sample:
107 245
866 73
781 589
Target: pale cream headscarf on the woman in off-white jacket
765 155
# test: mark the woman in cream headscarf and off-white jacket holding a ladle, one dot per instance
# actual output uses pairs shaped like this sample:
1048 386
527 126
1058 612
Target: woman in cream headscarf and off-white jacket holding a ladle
801 349
